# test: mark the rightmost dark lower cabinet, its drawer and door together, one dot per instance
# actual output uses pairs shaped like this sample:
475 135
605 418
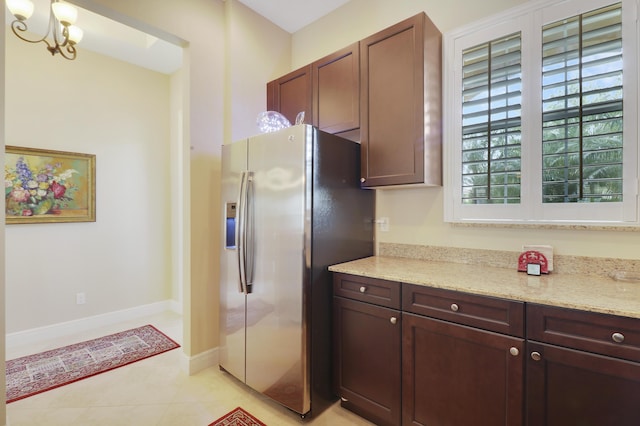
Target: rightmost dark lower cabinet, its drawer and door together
583 368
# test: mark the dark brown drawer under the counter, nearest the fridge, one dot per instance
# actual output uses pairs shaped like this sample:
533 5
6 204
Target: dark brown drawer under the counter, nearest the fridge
370 290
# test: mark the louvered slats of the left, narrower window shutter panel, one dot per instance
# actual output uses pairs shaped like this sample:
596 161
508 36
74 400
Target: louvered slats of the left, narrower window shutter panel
491 122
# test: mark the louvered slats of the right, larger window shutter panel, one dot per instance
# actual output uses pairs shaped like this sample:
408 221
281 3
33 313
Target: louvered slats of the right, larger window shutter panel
582 97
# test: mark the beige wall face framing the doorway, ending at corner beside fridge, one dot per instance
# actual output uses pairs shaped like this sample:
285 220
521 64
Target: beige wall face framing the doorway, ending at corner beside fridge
201 24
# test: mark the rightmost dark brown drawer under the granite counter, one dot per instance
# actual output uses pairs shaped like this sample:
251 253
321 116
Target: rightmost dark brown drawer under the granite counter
589 331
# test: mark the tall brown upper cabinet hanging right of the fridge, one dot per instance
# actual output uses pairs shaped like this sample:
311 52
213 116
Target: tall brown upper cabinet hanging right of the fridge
399 87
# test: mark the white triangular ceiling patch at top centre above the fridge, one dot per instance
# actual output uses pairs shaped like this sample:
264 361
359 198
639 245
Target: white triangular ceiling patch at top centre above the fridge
292 15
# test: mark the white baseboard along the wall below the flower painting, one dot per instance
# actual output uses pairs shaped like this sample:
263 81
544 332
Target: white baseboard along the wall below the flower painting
53 331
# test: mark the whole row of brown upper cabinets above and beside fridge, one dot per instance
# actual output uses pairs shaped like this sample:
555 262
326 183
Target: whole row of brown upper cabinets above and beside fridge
384 91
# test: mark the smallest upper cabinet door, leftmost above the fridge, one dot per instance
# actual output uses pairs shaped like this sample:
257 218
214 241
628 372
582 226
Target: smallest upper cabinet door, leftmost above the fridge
291 94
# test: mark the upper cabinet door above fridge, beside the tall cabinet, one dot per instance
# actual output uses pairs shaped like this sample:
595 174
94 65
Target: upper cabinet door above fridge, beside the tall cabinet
336 91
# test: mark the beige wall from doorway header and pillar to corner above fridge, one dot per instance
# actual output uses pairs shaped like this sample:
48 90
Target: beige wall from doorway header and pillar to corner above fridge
229 60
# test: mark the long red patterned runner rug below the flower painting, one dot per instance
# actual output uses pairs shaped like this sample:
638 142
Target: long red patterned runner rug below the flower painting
41 372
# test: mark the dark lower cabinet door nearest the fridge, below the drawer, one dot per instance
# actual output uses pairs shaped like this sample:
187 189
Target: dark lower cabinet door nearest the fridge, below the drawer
367 360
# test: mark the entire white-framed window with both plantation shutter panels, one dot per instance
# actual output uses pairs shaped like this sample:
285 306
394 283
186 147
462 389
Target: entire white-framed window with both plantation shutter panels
541 115
